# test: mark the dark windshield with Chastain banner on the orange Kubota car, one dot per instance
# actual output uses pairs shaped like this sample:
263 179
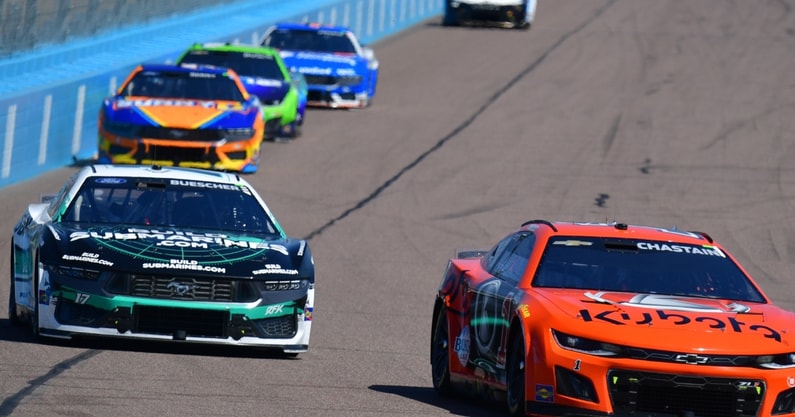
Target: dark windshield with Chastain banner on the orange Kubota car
640 266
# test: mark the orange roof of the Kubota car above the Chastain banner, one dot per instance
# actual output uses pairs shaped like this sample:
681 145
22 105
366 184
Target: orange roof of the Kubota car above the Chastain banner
616 230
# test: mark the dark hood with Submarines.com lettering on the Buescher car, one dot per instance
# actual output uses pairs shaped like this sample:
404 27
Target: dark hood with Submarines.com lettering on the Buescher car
173 251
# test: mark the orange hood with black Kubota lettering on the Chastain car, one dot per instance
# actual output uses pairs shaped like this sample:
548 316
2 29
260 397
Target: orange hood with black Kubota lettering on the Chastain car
670 322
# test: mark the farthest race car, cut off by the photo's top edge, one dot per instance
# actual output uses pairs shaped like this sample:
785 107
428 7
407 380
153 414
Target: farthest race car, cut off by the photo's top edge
507 13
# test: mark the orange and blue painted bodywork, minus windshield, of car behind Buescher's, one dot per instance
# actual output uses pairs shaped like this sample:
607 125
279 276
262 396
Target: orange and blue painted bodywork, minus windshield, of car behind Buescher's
188 132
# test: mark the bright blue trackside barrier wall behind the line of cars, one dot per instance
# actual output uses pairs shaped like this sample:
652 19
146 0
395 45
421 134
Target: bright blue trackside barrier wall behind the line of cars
50 98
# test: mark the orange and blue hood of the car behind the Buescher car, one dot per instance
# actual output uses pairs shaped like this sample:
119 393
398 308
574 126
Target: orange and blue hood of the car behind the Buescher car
179 113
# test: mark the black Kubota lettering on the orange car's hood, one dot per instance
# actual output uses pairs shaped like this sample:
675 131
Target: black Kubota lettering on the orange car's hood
624 317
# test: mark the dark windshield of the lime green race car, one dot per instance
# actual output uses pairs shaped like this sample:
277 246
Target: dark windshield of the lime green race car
244 63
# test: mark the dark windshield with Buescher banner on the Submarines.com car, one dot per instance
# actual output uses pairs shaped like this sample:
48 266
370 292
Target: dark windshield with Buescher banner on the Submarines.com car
170 203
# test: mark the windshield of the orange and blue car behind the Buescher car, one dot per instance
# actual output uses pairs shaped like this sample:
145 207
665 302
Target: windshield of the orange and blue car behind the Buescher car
183 84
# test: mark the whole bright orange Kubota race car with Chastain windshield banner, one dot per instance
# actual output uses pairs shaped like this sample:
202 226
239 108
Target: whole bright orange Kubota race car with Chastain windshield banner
587 319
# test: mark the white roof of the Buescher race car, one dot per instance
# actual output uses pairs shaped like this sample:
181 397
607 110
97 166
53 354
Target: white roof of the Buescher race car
156 171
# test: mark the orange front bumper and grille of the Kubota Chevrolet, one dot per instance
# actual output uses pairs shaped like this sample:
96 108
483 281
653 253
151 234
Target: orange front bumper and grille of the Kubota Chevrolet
578 384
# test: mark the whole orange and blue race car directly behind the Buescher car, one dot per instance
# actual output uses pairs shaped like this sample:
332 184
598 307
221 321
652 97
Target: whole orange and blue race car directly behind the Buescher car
176 116
